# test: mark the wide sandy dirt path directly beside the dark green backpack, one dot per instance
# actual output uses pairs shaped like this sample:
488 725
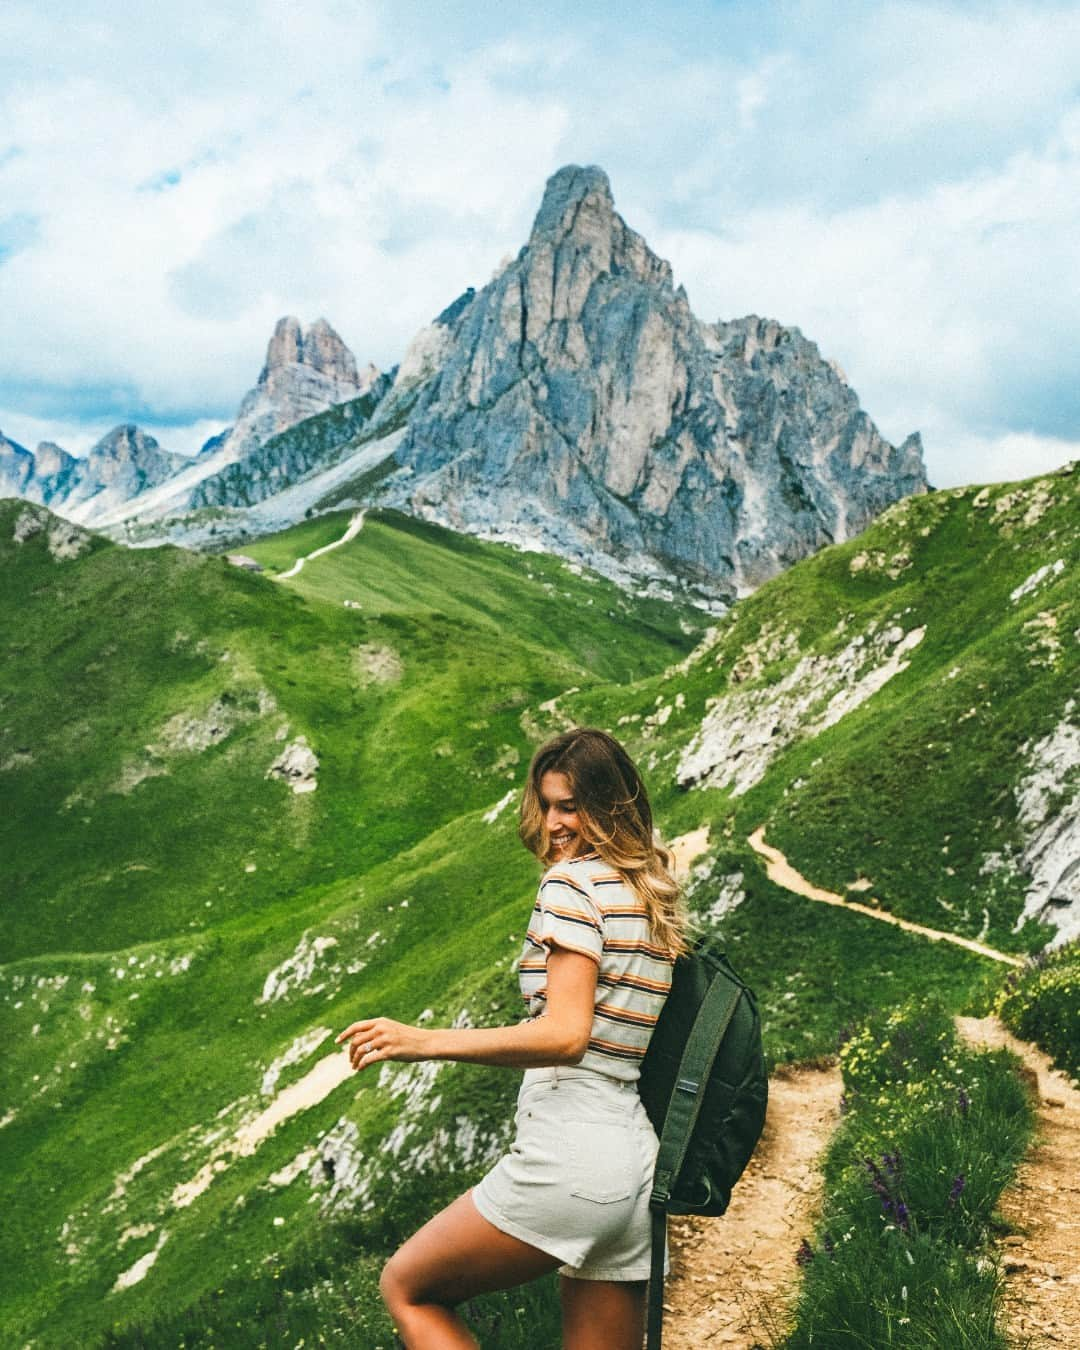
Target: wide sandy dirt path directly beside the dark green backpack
734 1278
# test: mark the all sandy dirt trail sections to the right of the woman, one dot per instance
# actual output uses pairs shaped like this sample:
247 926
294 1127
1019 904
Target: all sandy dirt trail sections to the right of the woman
735 1279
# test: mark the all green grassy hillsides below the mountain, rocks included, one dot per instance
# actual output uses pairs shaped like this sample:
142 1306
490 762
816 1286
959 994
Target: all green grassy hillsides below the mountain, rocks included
186 934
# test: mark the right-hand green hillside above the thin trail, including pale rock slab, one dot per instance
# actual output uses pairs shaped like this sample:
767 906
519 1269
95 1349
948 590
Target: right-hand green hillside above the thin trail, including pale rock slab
878 707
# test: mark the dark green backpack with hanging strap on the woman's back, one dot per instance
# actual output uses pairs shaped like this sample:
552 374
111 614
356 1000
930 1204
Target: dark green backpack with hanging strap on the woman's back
705 1090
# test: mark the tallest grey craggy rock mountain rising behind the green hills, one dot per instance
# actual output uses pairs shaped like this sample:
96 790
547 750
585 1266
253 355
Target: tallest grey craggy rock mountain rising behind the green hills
580 403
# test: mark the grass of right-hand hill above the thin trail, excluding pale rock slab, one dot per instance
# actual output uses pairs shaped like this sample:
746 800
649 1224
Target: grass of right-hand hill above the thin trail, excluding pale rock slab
915 786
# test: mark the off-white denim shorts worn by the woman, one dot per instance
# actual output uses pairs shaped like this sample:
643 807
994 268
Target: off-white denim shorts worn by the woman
578 1177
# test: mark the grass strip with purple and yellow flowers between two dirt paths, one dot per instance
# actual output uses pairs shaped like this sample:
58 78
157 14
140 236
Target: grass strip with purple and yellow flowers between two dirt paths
931 1137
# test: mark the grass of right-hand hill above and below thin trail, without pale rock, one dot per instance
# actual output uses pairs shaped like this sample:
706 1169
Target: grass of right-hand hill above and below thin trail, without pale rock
911 789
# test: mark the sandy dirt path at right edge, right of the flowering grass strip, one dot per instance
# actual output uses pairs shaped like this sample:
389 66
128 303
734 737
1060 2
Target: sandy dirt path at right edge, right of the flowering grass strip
1043 1258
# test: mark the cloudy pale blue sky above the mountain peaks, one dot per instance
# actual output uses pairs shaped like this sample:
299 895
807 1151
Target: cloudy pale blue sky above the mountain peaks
897 180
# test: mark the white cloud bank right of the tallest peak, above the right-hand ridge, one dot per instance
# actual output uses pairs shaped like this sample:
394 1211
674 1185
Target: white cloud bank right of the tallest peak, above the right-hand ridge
947 308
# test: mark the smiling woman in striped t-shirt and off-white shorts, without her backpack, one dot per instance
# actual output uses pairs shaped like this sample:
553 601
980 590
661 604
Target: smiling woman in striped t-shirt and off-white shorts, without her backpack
595 971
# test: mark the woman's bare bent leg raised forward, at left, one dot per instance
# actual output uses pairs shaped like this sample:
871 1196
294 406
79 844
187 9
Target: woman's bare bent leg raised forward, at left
454 1256
